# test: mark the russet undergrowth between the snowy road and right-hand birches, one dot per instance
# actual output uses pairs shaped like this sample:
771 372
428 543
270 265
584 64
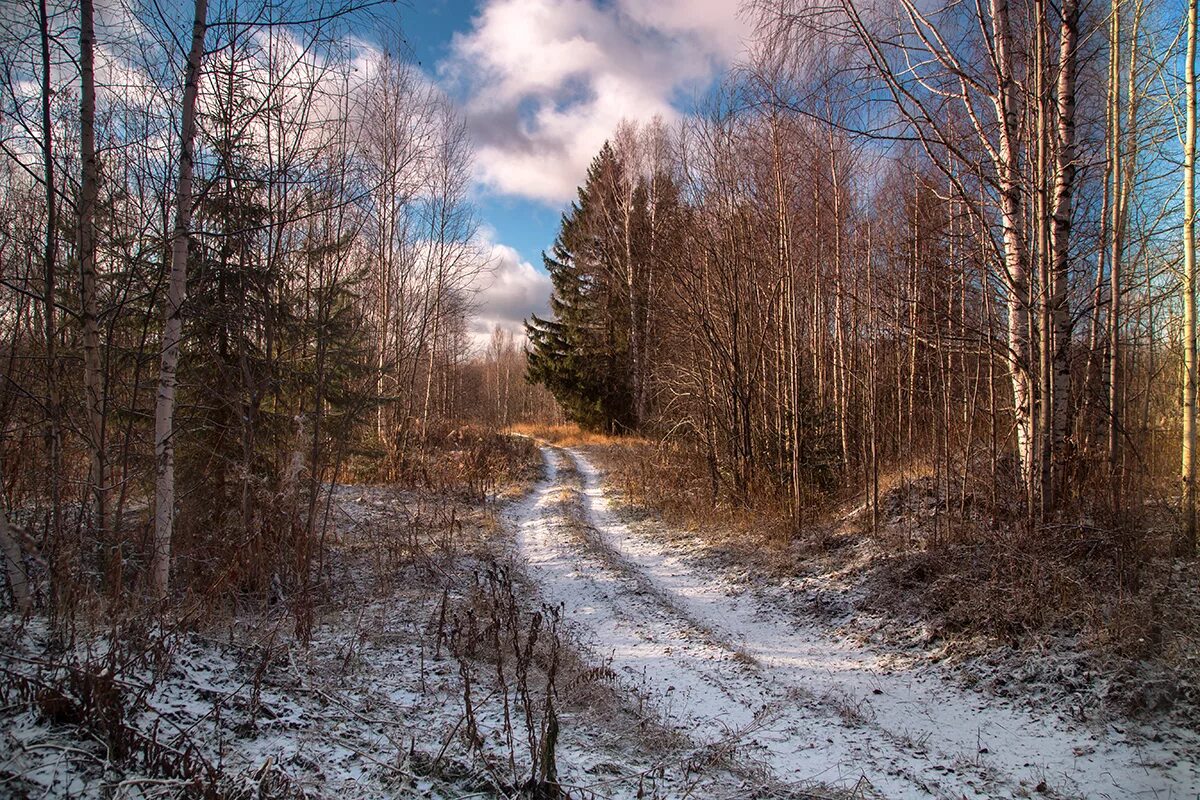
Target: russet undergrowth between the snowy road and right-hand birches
956 554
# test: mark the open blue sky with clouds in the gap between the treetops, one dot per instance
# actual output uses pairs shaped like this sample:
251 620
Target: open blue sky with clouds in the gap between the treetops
543 83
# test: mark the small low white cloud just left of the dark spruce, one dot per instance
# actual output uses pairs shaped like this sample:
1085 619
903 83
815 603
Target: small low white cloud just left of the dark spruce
508 294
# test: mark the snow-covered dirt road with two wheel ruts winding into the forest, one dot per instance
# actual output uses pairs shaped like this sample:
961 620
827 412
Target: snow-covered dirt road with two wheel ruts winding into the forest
733 673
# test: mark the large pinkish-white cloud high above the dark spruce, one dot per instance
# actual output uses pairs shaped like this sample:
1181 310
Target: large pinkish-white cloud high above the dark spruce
547 82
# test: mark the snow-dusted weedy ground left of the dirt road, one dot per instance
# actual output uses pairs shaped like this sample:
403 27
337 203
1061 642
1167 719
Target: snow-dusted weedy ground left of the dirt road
374 707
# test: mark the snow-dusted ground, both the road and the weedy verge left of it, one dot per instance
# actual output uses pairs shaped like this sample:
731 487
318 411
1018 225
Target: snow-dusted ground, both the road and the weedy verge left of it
674 679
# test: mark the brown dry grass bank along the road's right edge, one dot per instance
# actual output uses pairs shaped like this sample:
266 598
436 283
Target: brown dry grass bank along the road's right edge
951 575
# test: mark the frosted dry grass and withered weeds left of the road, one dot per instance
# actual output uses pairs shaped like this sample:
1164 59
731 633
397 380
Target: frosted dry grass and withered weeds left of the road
395 556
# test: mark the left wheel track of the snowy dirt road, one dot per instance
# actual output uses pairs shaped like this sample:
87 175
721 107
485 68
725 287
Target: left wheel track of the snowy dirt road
706 688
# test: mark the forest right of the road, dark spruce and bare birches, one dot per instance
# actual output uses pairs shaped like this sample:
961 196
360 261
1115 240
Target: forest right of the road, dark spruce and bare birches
879 245
